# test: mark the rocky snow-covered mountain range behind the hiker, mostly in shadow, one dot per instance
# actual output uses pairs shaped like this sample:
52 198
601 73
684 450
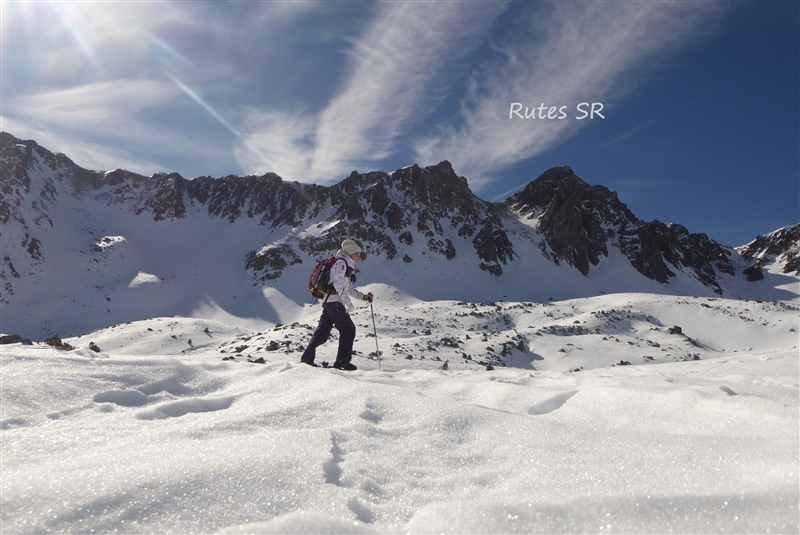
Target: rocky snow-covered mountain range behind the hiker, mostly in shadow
82 249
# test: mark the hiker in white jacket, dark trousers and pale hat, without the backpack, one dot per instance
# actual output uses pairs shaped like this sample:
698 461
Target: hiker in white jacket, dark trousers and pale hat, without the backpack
337 306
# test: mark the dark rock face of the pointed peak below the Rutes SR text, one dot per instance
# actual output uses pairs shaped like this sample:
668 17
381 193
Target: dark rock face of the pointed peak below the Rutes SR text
580 221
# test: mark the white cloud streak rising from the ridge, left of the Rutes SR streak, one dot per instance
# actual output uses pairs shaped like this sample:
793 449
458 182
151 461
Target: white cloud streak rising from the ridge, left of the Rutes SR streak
392 67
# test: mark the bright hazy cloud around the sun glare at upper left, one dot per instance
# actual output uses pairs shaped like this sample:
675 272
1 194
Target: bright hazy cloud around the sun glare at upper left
95 80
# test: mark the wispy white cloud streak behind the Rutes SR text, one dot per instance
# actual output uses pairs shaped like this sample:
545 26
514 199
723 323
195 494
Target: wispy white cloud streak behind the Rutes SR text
568 53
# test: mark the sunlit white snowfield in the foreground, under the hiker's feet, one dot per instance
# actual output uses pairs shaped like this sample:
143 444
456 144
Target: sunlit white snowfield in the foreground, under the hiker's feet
156 434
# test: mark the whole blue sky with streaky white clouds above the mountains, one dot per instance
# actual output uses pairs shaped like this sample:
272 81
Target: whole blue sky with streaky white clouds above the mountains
701 97
